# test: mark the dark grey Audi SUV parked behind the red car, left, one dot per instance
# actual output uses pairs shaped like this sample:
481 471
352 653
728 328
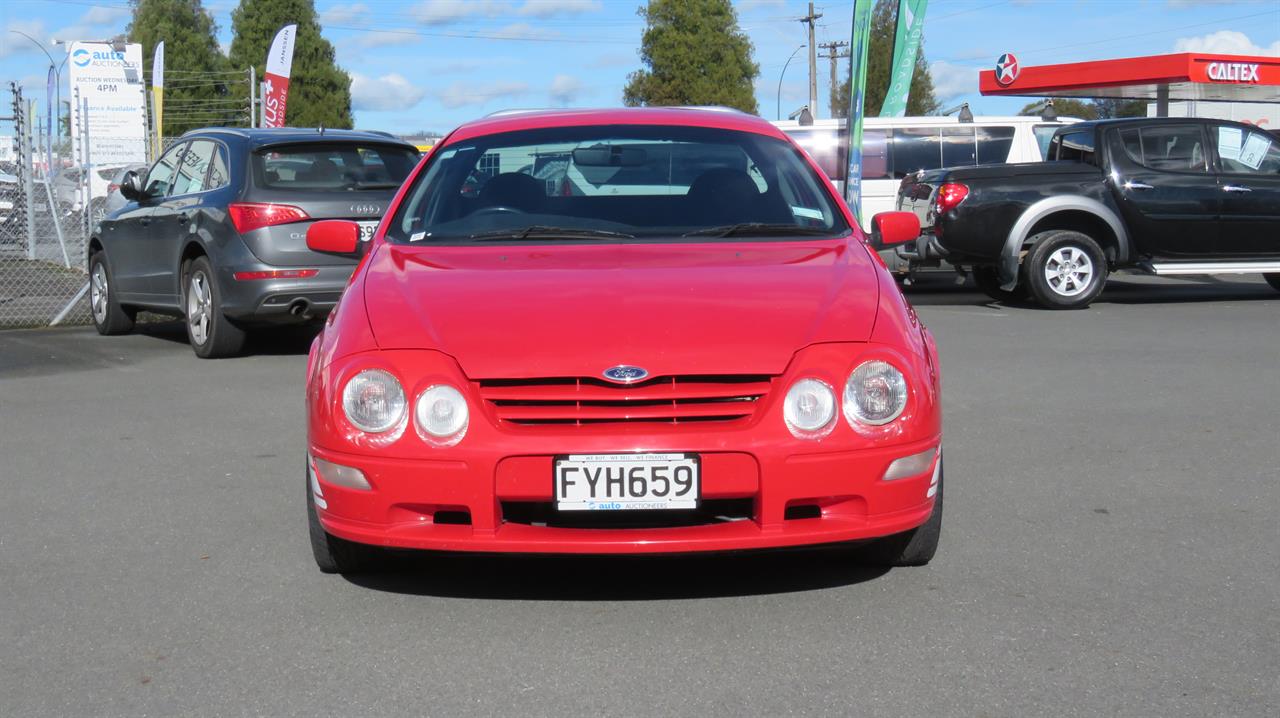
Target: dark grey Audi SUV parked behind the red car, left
216 232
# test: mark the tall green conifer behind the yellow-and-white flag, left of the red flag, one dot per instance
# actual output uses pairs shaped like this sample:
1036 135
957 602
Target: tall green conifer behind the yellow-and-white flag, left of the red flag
198 84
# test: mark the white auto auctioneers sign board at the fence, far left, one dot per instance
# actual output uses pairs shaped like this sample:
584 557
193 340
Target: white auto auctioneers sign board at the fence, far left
109 103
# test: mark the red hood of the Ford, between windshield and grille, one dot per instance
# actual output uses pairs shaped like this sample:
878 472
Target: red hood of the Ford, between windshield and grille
575 310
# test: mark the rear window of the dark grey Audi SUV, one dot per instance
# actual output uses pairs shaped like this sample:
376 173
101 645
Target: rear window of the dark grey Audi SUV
333 167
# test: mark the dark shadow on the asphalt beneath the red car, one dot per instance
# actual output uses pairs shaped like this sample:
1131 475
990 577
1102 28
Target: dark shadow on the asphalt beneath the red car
630 578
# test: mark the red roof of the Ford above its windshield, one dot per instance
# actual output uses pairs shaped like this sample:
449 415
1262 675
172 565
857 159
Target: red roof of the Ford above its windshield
511 121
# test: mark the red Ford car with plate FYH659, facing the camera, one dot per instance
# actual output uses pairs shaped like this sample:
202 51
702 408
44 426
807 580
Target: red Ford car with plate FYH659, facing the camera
693 350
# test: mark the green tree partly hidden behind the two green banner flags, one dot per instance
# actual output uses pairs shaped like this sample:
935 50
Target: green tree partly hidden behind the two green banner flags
880 61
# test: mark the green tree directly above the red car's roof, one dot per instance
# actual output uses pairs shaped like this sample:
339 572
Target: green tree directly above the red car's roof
696 56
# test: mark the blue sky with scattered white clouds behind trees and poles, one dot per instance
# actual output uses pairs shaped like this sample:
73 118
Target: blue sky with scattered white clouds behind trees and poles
433 65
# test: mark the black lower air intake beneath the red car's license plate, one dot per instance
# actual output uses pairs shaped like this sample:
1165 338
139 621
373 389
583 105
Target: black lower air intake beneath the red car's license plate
708 513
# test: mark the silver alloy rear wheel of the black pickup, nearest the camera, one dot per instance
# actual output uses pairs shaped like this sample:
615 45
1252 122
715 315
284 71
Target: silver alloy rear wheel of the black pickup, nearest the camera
1066 269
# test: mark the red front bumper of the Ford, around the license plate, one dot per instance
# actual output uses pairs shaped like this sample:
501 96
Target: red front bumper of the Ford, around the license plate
784 500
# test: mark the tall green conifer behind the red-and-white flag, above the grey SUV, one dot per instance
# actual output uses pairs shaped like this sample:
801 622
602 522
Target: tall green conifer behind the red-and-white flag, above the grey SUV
319 90
